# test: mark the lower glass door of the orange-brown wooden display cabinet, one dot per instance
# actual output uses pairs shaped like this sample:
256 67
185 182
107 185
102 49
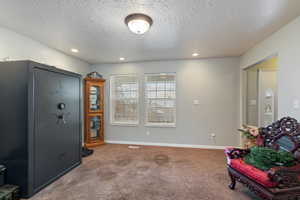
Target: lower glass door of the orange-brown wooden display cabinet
95 126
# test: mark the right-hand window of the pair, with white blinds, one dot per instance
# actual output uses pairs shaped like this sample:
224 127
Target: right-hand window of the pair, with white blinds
160 97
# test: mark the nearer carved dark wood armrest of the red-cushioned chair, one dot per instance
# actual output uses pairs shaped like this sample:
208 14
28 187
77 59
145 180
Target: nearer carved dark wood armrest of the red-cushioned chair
286 177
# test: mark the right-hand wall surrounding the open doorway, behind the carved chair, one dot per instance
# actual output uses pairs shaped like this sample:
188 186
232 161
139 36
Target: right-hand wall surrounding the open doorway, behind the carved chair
285 43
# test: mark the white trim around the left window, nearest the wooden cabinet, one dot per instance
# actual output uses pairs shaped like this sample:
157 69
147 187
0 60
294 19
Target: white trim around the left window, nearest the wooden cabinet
132 123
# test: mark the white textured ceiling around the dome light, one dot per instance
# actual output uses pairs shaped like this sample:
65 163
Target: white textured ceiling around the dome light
213 28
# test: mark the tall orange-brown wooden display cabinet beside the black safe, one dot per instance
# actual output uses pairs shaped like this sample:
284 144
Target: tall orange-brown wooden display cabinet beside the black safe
94 111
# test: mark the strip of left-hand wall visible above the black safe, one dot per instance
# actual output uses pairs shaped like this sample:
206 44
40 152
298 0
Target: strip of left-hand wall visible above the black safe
19 47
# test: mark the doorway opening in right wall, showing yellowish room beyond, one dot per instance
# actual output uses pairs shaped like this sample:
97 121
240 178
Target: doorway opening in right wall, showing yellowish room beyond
261 102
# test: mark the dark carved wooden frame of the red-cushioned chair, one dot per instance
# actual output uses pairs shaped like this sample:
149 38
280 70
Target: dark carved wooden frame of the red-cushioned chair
288 183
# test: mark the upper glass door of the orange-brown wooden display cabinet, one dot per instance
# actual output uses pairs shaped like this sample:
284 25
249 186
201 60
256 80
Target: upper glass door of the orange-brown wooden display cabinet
95 103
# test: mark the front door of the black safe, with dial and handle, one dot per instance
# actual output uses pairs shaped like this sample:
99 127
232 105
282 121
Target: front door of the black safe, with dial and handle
57 124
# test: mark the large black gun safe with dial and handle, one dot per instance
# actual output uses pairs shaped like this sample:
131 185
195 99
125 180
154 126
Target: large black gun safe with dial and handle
40 123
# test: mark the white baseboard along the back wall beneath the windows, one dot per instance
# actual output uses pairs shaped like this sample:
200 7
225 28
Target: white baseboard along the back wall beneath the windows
166 144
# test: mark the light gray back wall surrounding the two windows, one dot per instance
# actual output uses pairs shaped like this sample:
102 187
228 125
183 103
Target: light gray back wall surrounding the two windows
214 82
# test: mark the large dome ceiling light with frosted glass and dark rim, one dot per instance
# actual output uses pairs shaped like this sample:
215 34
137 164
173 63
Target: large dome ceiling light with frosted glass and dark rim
138 23
